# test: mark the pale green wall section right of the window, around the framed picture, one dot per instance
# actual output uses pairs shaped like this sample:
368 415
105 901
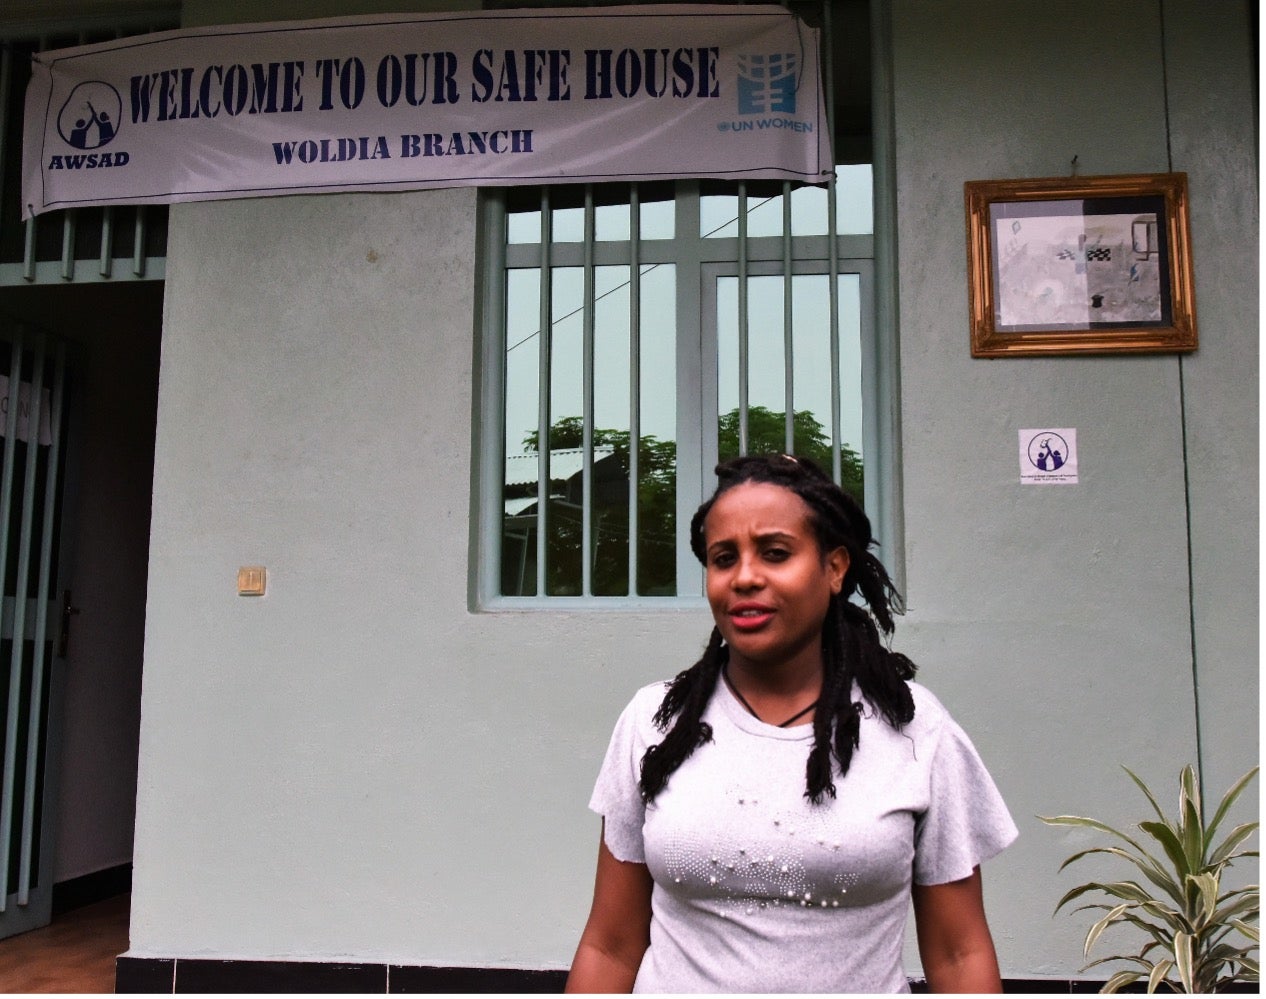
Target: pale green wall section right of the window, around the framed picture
1056 621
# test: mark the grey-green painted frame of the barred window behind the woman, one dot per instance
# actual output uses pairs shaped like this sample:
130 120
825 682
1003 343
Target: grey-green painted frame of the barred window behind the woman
879 345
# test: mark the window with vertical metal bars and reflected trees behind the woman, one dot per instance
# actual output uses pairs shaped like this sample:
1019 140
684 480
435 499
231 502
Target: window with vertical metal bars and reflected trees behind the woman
635 335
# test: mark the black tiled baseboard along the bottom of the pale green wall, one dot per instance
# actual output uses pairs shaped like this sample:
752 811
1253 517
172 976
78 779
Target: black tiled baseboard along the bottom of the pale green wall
201 976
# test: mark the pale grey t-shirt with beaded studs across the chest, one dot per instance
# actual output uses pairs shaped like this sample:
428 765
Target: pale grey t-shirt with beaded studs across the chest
758 891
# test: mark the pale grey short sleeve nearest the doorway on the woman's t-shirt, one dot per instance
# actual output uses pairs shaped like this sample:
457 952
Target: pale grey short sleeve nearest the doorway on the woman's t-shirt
617 795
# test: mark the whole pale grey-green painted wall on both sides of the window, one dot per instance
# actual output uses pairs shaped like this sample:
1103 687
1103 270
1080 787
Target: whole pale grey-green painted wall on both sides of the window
358 765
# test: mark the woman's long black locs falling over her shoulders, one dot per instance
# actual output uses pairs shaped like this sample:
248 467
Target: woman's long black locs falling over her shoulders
853 650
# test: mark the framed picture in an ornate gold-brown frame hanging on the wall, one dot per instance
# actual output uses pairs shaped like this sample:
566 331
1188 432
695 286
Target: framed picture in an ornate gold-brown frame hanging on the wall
1081 265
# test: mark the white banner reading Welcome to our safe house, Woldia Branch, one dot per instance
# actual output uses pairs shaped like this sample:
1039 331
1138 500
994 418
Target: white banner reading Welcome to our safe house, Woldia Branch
439 101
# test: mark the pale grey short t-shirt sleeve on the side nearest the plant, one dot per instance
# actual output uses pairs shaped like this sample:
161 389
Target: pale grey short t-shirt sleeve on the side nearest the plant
967 821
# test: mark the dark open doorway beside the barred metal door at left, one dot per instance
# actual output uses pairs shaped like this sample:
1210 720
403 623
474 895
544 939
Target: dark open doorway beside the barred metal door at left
113 334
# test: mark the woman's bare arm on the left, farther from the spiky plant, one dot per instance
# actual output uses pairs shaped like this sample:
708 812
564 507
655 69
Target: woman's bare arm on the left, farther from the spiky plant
618 931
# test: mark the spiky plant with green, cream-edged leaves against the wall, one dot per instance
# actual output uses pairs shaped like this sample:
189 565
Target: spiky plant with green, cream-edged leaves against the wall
1197 938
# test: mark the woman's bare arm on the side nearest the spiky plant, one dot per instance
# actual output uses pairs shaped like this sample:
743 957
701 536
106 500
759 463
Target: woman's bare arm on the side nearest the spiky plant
954 938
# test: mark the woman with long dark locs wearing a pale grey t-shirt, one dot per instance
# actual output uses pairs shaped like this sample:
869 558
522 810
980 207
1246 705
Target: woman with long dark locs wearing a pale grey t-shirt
769 816
